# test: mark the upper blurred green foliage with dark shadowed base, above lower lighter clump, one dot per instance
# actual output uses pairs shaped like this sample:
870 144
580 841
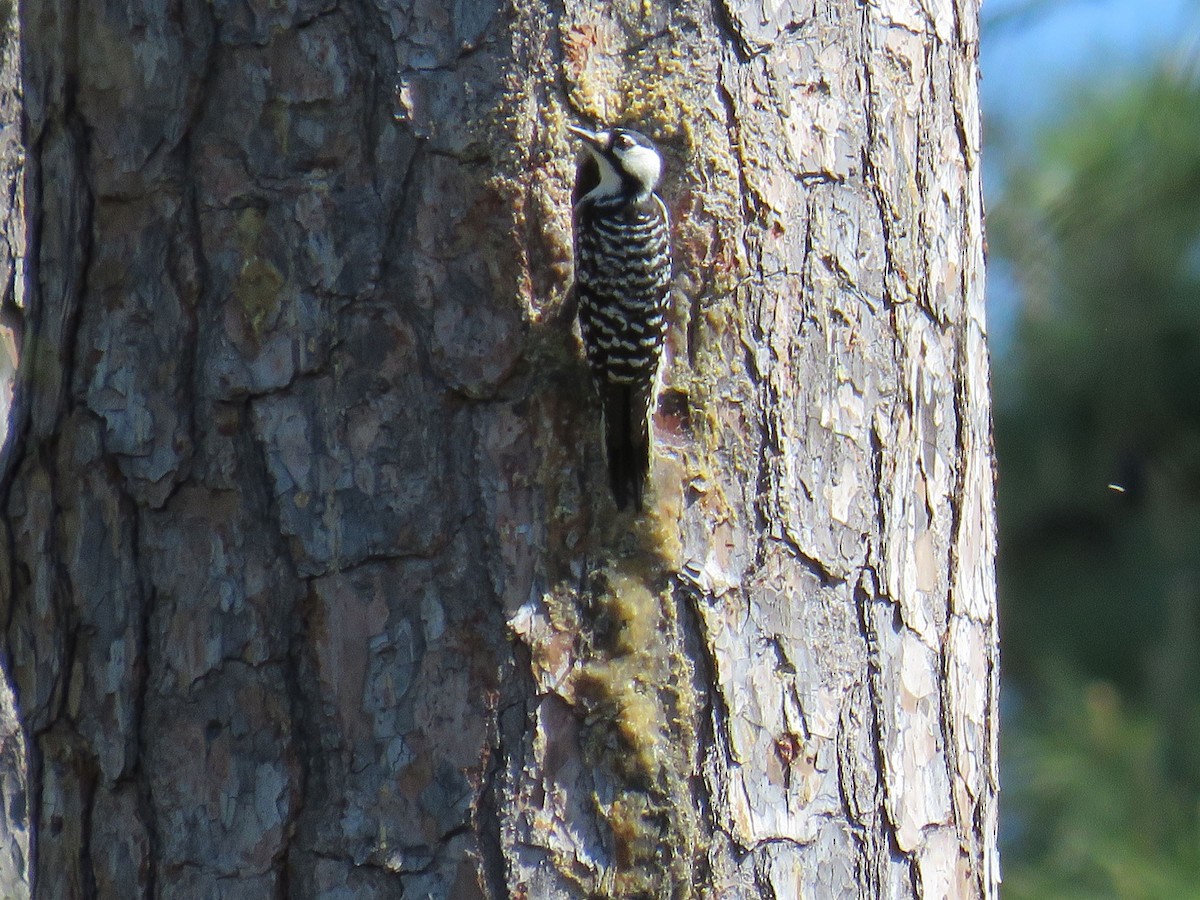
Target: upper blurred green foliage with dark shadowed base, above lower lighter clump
1103 386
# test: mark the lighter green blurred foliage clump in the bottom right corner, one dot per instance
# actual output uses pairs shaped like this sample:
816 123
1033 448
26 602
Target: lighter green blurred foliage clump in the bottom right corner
1091 813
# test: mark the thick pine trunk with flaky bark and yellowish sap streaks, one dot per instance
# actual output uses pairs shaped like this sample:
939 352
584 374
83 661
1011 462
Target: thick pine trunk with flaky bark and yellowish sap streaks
311 579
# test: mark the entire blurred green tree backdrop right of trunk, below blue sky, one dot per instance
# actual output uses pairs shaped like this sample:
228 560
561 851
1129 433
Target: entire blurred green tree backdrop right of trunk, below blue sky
1095 238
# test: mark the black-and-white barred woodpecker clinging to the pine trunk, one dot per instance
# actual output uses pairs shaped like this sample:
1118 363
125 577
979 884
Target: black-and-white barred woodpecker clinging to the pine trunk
622 284
